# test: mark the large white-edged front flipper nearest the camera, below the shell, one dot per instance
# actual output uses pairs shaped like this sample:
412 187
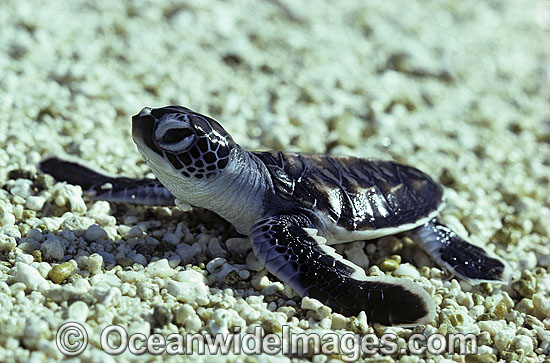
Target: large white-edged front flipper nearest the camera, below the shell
289 247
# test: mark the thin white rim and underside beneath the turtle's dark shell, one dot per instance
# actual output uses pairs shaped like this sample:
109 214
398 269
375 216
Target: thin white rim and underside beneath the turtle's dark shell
336 234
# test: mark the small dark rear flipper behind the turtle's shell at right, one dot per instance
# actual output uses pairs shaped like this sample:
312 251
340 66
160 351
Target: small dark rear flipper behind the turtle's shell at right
468 262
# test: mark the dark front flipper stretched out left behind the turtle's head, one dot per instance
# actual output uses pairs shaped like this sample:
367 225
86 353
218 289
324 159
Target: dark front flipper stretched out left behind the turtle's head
103 187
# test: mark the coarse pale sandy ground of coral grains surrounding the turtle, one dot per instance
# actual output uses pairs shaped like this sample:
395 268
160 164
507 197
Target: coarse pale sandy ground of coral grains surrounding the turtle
457 89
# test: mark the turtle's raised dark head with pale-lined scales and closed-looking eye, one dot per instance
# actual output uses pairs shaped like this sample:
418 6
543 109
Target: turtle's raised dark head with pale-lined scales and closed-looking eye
176 140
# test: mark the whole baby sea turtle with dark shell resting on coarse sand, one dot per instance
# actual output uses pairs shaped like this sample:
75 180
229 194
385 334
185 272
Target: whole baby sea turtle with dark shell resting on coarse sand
294 206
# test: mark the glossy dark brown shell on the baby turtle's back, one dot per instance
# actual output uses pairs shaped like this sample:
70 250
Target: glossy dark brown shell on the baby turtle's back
356 194
